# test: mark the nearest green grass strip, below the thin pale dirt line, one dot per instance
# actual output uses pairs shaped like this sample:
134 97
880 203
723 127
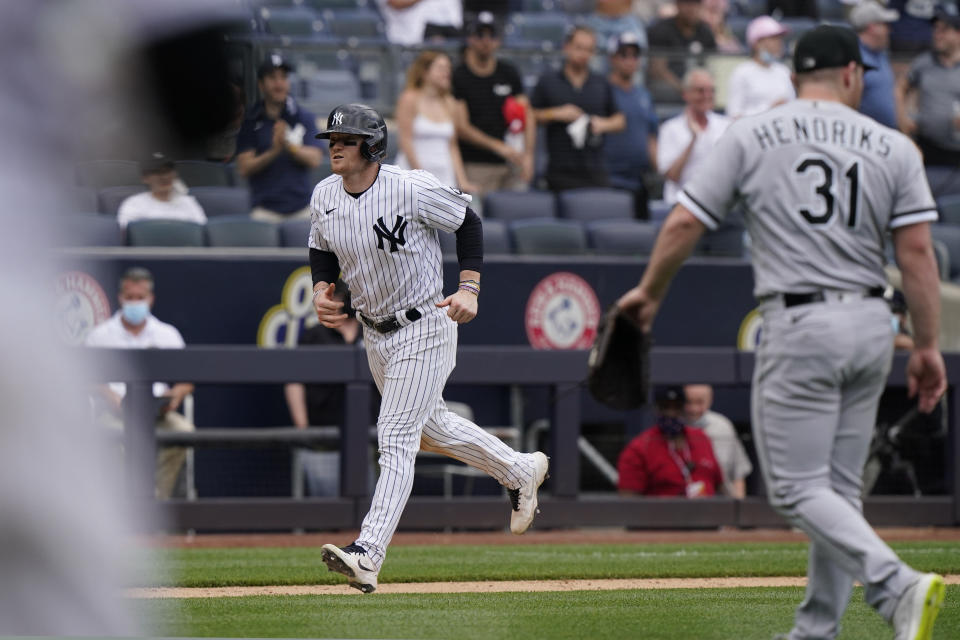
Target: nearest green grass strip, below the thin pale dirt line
686 614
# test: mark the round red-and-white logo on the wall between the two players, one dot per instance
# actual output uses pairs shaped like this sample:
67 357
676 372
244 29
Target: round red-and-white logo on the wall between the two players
562 313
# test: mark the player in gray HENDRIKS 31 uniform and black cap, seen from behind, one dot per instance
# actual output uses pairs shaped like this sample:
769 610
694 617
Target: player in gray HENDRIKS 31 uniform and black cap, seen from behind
821 186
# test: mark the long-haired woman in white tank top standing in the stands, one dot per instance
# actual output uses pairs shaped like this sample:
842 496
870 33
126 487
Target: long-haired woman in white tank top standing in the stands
425 112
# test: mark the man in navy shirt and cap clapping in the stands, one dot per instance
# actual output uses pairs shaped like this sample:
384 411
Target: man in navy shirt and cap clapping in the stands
276 147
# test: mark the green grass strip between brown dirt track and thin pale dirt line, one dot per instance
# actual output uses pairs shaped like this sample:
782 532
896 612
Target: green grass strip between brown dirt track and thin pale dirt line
290 566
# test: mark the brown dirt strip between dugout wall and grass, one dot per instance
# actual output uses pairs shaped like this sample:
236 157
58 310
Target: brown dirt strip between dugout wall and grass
572 536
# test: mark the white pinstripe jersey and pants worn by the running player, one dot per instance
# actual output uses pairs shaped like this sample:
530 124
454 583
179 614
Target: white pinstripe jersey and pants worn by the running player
389 253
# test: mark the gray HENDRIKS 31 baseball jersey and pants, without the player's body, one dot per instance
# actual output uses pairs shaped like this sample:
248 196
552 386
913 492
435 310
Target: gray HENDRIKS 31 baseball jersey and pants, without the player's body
821 186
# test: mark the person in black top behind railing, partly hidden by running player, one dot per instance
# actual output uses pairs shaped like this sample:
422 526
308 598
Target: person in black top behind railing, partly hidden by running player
321 404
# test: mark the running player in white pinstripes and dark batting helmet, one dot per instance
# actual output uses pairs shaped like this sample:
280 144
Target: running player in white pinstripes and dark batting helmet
378 224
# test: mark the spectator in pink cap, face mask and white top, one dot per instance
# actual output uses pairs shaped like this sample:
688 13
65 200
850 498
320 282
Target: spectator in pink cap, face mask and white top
762 81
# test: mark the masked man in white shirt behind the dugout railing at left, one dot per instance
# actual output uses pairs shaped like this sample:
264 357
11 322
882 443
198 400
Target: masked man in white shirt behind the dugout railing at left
134 327
